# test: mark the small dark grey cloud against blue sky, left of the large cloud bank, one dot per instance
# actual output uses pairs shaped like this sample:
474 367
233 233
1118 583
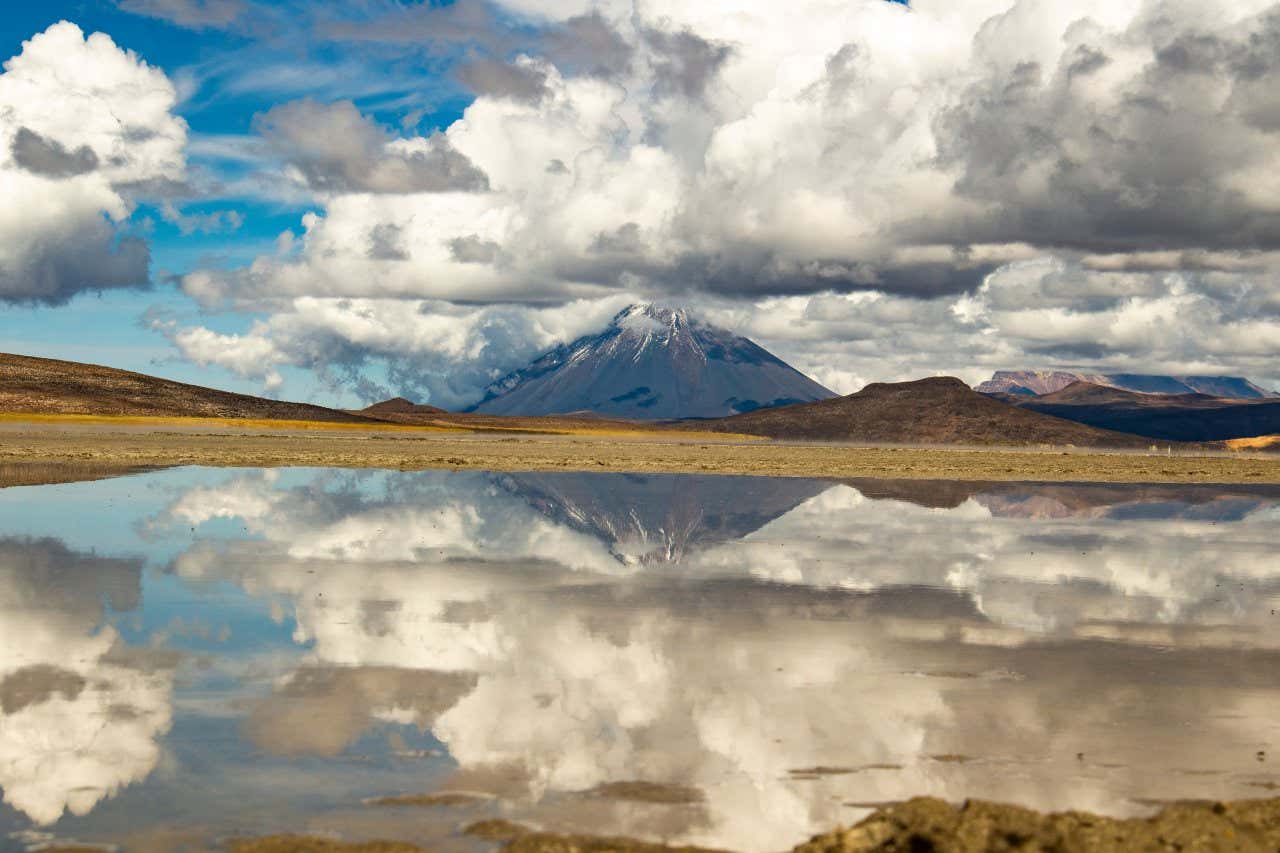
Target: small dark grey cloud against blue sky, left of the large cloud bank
340 150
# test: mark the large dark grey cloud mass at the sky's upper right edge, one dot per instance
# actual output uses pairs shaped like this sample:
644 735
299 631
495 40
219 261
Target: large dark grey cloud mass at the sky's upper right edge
1158 168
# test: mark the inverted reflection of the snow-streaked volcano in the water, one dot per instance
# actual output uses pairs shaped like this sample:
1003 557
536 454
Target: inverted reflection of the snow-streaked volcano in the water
659 518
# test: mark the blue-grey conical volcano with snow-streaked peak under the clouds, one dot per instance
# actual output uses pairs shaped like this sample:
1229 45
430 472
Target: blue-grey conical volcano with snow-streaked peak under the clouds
652 363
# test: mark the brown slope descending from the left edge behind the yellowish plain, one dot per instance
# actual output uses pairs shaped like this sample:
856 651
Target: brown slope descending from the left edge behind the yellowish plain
49 387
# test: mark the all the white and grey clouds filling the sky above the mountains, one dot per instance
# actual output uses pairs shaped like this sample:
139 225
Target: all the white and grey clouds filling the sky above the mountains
872 190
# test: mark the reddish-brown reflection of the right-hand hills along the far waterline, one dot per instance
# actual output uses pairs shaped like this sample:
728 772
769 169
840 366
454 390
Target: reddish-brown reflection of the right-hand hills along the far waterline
1158 501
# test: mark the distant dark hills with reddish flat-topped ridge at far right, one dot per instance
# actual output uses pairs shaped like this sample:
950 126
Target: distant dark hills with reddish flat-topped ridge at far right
1181 418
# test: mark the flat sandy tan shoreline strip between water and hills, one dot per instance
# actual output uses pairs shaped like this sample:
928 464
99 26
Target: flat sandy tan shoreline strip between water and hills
31 451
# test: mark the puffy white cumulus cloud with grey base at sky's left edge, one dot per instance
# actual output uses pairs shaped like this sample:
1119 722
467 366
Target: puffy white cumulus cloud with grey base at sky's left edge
84 127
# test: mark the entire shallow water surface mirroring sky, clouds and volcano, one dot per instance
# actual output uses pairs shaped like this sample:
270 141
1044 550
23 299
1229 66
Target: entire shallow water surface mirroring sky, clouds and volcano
728 662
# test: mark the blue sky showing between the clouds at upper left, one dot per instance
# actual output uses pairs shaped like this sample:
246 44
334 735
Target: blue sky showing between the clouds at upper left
226 80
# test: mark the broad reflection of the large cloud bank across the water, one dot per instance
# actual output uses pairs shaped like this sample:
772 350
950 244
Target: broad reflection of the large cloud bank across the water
847 632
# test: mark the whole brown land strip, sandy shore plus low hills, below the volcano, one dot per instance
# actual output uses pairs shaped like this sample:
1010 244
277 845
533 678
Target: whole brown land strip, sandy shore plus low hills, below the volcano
930 430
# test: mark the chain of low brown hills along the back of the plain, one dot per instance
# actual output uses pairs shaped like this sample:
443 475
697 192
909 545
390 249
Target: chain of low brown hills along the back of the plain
929 412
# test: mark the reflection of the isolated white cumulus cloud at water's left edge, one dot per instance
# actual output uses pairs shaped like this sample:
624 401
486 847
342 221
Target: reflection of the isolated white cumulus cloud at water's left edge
80 719
